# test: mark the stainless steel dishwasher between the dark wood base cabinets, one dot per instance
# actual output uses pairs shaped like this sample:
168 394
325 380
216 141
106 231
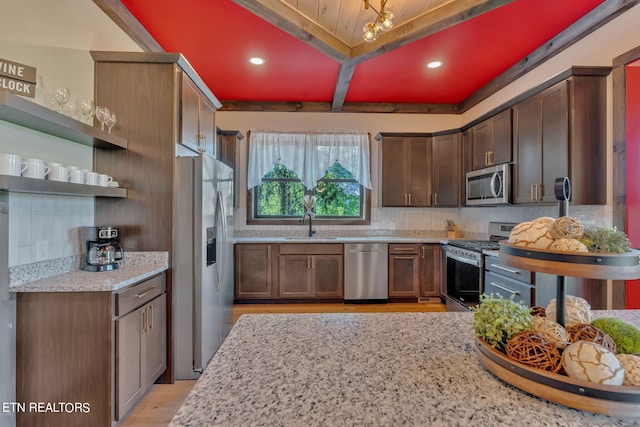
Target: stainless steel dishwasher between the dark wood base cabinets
365 273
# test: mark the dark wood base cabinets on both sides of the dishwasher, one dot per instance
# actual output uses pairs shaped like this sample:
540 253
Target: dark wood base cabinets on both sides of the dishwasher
315 271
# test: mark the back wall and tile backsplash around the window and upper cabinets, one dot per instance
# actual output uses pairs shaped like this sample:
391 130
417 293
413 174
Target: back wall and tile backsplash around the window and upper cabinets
597 49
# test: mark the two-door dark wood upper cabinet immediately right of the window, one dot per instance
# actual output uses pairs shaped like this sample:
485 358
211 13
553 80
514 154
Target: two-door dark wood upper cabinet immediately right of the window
406 171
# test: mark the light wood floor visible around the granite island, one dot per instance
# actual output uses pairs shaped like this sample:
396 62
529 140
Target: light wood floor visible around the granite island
162 401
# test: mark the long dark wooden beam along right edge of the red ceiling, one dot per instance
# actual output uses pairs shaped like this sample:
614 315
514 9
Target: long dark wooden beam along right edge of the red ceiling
595 19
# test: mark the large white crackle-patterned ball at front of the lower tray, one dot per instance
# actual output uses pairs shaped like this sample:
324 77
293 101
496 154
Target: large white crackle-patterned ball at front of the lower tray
587 361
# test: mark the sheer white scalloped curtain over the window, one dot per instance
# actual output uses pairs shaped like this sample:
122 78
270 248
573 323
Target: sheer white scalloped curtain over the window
309 155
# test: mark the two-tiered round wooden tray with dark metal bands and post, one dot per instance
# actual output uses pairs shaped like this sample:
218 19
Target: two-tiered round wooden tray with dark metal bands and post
587 396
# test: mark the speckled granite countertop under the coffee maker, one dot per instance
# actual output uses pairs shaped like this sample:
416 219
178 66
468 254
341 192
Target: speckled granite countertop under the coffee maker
136 267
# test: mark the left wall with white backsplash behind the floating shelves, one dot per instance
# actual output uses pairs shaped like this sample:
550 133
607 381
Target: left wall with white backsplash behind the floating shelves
57 42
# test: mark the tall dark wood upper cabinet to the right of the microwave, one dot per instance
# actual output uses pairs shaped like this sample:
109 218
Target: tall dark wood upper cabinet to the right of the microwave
561 132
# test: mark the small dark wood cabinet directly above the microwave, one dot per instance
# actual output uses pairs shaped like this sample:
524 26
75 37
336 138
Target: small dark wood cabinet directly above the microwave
492 141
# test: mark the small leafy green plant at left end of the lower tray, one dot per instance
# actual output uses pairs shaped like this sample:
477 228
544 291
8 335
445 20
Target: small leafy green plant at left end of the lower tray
497 319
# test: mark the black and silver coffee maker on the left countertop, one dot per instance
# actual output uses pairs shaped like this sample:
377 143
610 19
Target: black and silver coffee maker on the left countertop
102 251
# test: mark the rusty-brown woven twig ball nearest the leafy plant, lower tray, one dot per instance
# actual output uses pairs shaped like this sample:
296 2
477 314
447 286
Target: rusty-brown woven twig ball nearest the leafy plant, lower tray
534 350
